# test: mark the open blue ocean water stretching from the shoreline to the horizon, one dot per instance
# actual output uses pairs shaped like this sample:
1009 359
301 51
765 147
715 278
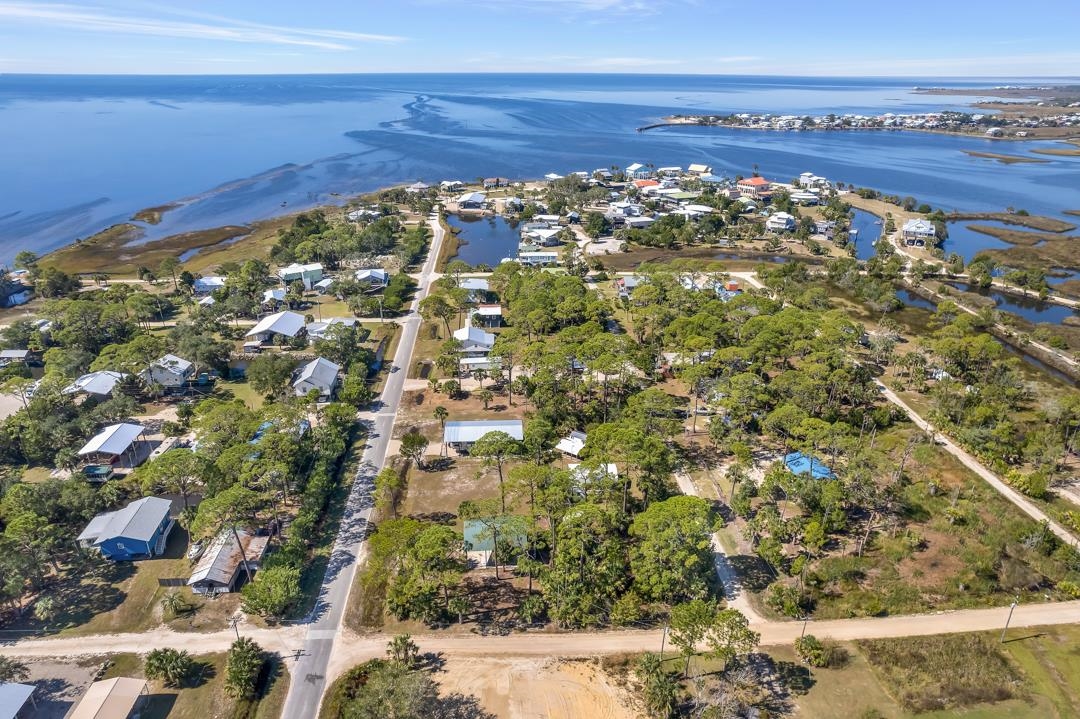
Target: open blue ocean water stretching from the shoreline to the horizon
84 153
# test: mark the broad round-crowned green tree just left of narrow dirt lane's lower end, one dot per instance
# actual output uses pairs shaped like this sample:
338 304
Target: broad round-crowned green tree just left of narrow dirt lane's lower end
673 559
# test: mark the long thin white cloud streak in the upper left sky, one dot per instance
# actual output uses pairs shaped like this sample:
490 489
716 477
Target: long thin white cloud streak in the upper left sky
79 18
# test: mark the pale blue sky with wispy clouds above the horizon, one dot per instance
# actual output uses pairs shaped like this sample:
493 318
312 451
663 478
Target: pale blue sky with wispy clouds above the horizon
938 38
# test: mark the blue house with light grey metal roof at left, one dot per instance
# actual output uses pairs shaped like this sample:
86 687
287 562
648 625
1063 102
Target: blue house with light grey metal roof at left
138 532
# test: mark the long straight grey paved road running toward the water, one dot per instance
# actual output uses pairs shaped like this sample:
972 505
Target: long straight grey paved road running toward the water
325 625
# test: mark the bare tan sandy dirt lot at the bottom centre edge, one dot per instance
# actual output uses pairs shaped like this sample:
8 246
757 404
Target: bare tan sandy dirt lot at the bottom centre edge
538 688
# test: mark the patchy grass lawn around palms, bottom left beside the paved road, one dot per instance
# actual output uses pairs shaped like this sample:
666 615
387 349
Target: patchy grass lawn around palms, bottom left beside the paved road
205 697
